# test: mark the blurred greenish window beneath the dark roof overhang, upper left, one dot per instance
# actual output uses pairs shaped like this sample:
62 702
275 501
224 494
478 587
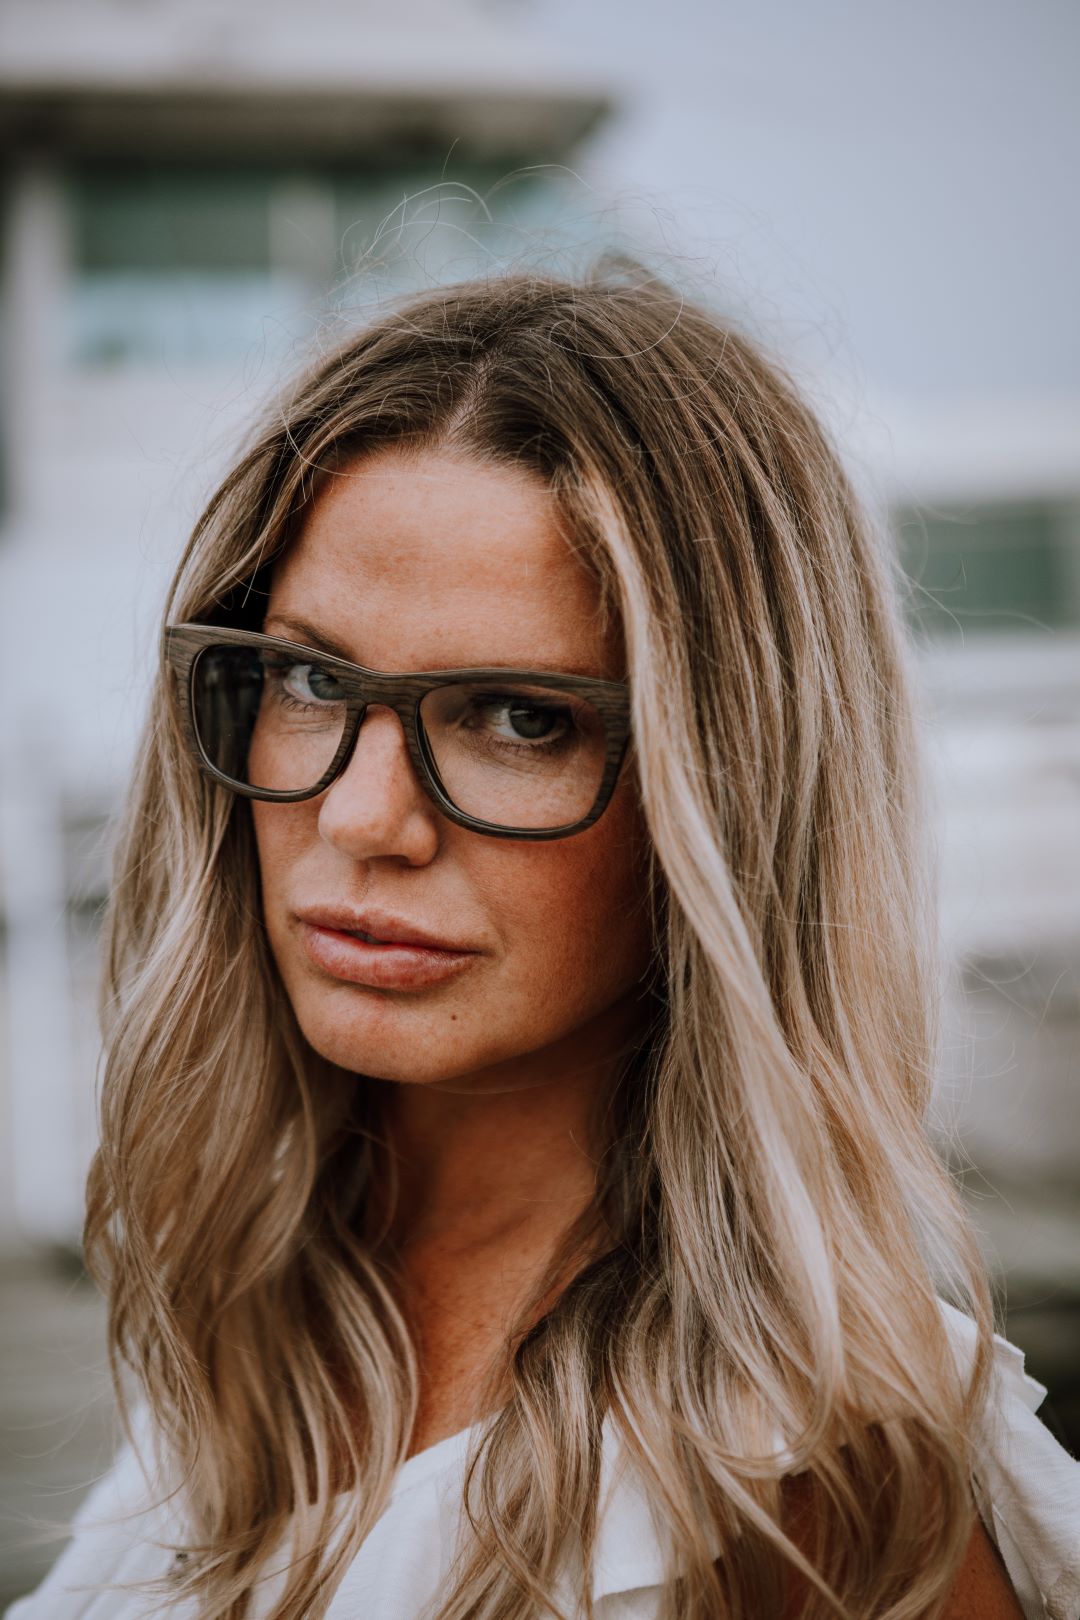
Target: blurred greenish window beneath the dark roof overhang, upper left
203 265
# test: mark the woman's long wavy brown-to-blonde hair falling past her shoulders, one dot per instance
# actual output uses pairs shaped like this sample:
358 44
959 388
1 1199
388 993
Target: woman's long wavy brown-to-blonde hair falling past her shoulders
781 1227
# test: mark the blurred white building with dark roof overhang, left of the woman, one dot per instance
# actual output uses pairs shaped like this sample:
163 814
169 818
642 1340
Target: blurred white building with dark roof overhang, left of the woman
193 195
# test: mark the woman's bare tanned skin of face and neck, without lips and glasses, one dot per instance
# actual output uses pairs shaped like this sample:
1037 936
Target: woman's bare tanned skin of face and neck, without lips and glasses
432 563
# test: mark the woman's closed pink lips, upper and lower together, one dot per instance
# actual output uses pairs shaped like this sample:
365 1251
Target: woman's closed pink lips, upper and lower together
402 957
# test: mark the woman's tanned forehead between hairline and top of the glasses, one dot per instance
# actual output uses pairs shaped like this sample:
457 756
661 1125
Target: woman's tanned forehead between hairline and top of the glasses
427 561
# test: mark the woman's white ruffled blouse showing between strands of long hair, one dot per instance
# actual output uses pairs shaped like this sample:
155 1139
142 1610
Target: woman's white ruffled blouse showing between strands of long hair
1027 1493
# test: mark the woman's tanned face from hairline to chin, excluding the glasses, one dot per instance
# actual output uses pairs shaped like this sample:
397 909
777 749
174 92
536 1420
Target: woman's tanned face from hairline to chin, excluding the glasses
430 561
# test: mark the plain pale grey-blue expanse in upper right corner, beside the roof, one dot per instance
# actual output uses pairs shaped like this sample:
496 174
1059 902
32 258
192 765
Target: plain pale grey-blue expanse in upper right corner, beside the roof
901 181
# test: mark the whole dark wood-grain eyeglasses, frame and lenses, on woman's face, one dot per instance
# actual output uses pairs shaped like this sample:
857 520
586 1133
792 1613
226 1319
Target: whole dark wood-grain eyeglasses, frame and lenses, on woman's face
508 752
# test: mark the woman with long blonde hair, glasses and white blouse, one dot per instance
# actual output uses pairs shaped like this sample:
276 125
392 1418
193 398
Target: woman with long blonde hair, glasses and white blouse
514 1193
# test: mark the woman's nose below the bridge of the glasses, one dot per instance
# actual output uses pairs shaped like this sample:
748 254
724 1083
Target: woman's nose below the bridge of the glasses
378 808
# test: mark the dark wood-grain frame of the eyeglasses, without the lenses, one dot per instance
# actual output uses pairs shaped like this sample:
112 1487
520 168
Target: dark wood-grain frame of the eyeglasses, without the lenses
402 694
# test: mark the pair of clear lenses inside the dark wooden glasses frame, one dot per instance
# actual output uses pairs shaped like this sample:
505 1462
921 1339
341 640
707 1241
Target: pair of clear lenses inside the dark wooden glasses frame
521 756
